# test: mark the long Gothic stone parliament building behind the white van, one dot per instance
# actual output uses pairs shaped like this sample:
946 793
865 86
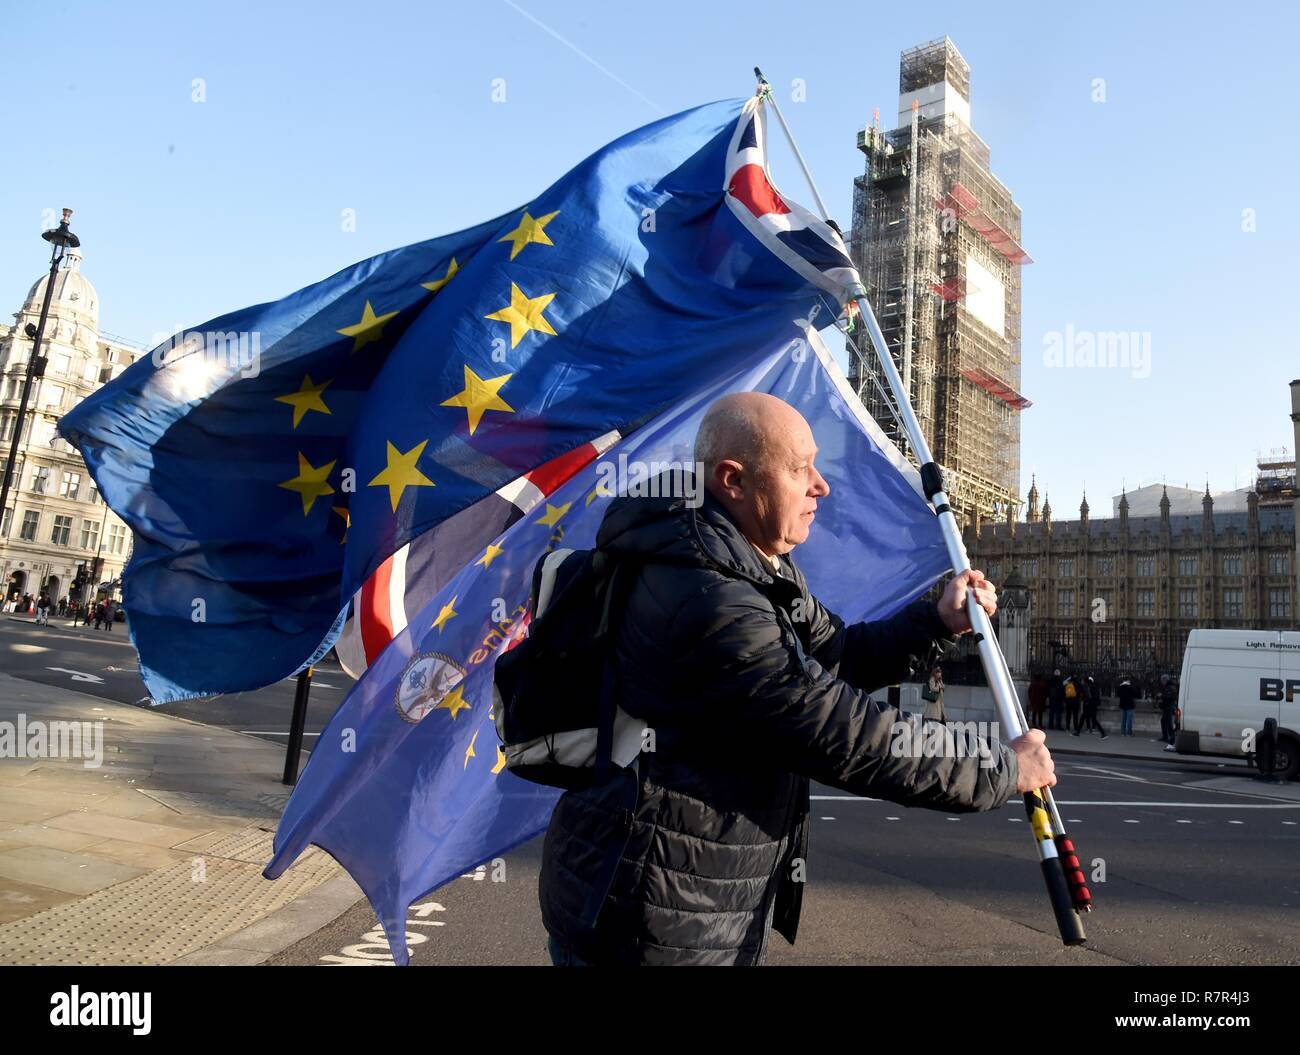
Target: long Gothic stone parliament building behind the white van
1121 594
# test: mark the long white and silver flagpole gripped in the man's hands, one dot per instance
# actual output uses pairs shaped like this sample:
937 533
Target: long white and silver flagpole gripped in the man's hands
1061 872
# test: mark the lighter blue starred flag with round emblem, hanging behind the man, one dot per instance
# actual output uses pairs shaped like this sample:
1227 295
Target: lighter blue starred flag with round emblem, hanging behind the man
408 787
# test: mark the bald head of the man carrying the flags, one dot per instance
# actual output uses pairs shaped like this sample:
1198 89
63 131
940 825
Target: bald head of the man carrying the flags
757 455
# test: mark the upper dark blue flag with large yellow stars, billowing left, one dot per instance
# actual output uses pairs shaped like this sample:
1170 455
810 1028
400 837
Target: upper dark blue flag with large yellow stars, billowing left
271 459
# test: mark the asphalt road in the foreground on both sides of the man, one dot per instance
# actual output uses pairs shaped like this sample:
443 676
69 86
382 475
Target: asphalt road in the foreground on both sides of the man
1189 865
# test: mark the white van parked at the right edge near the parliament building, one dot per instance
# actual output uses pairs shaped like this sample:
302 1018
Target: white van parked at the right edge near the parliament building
1232 681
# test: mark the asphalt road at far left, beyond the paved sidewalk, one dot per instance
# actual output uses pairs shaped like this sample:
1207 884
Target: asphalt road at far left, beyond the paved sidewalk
103 663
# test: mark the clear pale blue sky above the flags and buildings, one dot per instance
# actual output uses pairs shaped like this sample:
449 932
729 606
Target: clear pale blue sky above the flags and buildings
1133 206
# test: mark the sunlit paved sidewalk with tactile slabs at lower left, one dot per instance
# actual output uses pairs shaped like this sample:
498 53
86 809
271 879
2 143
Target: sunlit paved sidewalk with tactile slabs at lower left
155 857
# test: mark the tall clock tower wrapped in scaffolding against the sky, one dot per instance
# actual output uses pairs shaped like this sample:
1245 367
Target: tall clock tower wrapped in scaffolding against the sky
937 238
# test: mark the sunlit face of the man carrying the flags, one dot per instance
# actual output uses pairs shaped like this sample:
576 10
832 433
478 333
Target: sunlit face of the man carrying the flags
783 502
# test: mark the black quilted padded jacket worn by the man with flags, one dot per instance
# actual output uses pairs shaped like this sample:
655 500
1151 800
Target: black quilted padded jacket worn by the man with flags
752 689
